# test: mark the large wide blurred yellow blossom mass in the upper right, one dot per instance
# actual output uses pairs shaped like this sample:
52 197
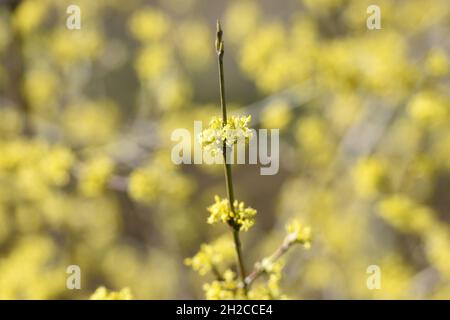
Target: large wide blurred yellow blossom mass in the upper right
377 62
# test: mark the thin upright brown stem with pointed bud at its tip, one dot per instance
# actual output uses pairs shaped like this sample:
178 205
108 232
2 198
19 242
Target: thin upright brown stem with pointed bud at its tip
227 166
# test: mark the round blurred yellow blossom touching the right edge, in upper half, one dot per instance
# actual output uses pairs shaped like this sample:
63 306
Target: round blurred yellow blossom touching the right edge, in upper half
428 107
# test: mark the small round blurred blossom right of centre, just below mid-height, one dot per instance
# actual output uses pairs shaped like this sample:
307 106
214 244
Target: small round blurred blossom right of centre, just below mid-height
370 177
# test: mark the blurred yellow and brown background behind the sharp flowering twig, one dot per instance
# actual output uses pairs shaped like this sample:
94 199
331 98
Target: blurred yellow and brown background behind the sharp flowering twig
85 122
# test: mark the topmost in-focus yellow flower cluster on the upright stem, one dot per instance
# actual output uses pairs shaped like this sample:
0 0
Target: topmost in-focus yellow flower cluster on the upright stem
235 131
